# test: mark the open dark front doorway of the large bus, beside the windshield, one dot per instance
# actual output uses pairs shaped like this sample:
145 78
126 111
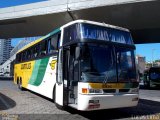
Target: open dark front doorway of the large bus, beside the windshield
69 76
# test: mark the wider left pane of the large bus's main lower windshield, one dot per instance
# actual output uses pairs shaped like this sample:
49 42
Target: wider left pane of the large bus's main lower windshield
97 64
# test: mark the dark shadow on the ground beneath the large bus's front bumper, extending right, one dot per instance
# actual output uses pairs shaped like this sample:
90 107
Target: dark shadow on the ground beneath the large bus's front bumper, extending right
145 107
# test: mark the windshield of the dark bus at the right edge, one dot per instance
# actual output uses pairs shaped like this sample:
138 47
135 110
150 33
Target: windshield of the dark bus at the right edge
155 73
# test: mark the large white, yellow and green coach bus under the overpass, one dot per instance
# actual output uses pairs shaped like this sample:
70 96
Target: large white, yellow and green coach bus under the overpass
84 64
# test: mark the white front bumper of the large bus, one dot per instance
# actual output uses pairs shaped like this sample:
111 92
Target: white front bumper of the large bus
96 102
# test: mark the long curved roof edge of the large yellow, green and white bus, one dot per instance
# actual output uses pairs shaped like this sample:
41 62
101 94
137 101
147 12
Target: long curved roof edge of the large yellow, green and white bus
68 24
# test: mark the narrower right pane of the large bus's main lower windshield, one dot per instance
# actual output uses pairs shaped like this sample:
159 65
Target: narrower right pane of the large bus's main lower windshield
126 65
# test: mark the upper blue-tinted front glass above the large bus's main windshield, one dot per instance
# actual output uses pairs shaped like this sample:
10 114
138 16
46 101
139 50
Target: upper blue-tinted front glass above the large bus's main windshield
95 32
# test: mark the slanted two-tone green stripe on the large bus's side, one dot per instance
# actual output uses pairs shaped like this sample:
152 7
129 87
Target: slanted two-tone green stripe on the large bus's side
39 71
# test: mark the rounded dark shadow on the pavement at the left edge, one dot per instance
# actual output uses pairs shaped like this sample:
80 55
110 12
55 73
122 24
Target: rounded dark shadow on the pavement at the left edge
6 102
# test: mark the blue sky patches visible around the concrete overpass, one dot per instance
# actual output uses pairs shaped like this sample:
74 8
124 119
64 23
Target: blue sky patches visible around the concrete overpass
147 50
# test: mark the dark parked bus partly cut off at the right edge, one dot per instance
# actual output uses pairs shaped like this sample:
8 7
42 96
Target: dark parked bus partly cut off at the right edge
152 77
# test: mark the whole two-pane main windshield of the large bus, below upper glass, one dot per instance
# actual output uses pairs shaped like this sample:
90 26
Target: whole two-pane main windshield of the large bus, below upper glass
98 64
